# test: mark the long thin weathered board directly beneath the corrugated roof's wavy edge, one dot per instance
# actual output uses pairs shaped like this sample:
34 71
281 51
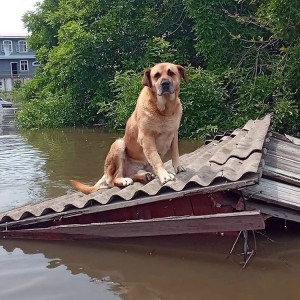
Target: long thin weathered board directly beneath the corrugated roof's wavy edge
249 180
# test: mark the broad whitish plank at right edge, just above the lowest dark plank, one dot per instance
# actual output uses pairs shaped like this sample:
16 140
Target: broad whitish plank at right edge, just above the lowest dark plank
275 192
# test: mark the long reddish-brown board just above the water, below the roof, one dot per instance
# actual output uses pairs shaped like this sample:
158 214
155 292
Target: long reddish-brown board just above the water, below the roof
250 220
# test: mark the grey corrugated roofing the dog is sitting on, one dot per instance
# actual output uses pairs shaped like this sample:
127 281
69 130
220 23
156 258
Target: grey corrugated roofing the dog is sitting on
227 159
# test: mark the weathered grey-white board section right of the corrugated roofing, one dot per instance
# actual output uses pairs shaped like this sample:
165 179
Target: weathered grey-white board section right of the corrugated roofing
280 182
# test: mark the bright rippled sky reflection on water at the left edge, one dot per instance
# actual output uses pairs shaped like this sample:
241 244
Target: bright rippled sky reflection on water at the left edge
21 172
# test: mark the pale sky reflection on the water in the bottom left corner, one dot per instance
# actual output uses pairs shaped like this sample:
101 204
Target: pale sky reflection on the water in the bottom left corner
37 277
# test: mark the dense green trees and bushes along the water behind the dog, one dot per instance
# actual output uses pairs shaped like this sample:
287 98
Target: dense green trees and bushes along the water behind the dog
242 58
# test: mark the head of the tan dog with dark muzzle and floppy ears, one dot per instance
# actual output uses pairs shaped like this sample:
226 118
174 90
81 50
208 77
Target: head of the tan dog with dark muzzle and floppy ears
164 78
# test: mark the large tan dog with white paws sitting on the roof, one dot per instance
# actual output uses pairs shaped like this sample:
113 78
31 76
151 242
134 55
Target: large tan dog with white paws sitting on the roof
150 132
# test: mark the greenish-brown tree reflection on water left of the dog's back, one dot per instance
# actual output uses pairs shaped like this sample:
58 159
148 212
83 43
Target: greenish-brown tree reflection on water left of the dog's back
70 153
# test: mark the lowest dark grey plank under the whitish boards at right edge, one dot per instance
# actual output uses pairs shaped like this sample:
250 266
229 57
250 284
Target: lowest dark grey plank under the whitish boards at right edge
274 210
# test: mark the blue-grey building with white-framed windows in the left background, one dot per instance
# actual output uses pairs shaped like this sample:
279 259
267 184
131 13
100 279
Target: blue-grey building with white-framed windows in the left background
17 62
